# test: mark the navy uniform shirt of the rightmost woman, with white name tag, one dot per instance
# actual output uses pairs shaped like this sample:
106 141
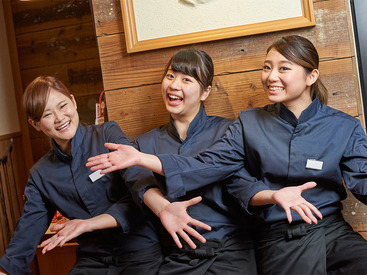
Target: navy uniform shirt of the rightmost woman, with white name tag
324 145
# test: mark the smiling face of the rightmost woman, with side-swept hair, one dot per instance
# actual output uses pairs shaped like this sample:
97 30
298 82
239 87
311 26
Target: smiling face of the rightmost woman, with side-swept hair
286 82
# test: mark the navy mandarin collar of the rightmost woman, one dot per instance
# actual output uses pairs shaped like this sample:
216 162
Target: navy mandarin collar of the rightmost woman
306 114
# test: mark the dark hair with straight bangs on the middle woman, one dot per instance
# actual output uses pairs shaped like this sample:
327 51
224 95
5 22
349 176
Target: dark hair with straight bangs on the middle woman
195 63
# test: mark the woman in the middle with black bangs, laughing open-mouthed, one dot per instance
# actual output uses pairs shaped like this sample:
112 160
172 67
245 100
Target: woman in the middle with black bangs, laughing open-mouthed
228 246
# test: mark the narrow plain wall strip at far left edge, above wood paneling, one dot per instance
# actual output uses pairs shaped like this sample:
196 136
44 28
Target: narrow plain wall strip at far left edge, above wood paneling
9 122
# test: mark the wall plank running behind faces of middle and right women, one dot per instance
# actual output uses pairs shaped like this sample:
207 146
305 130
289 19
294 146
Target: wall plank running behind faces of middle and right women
141 109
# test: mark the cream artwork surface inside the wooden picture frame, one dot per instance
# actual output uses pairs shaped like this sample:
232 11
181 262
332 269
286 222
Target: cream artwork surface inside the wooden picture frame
168 18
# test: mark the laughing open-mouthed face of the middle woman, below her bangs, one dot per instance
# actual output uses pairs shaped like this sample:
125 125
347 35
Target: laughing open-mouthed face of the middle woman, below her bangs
182 95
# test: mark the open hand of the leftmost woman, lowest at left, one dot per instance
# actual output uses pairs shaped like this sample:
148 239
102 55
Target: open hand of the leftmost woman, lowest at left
65 232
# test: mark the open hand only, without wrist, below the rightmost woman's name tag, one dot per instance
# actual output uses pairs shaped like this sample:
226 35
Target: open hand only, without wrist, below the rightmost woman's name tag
290 198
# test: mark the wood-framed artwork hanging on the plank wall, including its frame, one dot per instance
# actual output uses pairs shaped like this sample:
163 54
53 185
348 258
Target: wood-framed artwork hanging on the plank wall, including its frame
158 24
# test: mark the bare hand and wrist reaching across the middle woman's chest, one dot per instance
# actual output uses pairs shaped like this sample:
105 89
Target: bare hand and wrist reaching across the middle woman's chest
121 157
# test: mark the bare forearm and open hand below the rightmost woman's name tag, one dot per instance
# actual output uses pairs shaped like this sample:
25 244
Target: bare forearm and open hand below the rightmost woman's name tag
289 198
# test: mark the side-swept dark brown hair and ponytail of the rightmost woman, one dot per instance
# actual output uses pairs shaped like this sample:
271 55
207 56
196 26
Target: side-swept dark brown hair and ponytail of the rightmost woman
301 51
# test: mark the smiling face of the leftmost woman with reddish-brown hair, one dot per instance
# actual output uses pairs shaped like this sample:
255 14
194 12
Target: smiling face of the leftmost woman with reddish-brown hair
59 120
